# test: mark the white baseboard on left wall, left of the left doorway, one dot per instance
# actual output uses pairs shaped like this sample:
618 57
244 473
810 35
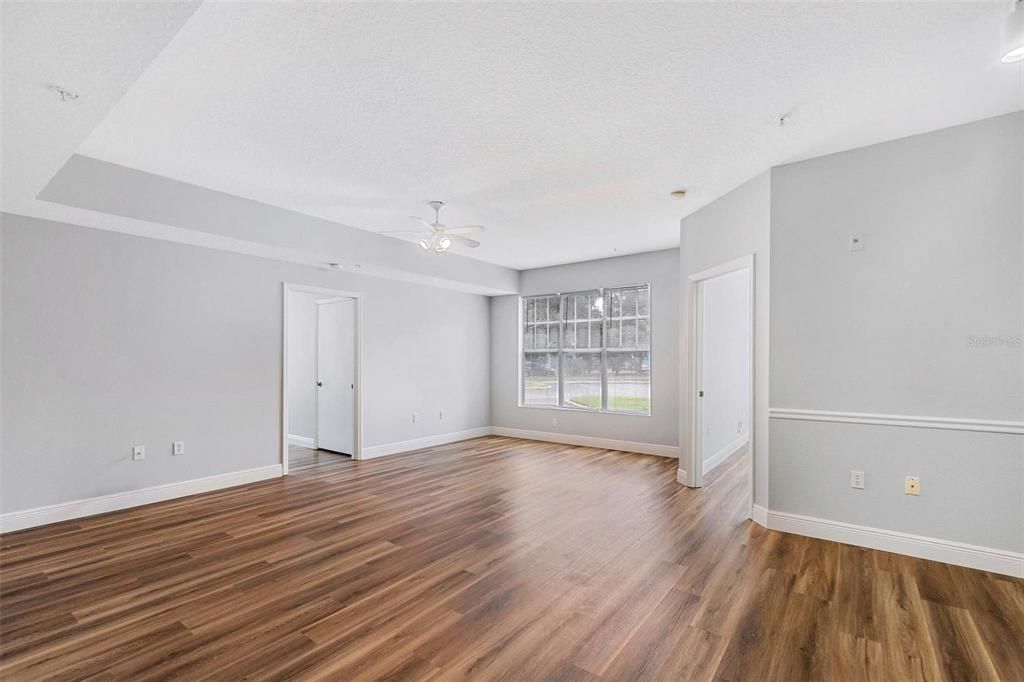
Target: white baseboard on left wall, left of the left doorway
65 511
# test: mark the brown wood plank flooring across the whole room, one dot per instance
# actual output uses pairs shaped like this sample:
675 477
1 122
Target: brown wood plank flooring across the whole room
493 559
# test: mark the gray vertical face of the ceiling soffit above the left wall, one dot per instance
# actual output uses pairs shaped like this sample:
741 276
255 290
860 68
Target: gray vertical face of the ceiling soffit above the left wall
222 221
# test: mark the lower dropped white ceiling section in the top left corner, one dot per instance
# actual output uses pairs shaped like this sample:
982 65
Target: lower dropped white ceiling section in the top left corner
97 50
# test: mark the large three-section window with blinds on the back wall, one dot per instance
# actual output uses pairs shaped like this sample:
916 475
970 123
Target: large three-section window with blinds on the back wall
588 351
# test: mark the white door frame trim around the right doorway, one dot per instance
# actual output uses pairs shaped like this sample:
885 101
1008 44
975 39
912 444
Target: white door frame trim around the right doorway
695 478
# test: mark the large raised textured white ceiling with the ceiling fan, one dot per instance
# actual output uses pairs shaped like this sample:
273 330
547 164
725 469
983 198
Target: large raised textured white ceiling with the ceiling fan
562 127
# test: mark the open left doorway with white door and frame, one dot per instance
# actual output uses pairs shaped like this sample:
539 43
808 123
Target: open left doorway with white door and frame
322 392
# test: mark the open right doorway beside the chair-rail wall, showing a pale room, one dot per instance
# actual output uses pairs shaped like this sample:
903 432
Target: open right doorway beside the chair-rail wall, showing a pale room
722 370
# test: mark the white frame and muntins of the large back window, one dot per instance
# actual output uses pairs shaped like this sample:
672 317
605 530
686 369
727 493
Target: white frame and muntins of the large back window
605 293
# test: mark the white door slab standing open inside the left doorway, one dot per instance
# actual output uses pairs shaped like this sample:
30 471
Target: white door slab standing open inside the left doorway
336 376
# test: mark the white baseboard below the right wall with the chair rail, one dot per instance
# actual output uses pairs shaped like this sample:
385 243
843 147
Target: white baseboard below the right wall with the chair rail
947 551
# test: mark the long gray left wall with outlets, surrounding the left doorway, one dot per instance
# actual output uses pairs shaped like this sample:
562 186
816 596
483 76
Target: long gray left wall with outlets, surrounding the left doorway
111 340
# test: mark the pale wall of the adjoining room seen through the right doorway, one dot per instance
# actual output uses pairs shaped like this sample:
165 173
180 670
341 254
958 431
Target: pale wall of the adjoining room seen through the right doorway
727 379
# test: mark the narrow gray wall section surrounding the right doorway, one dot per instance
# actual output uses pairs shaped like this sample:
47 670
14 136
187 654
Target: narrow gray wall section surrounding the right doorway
736 226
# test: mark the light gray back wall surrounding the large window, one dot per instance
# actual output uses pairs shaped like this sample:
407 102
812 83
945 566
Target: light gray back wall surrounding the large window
661 269
